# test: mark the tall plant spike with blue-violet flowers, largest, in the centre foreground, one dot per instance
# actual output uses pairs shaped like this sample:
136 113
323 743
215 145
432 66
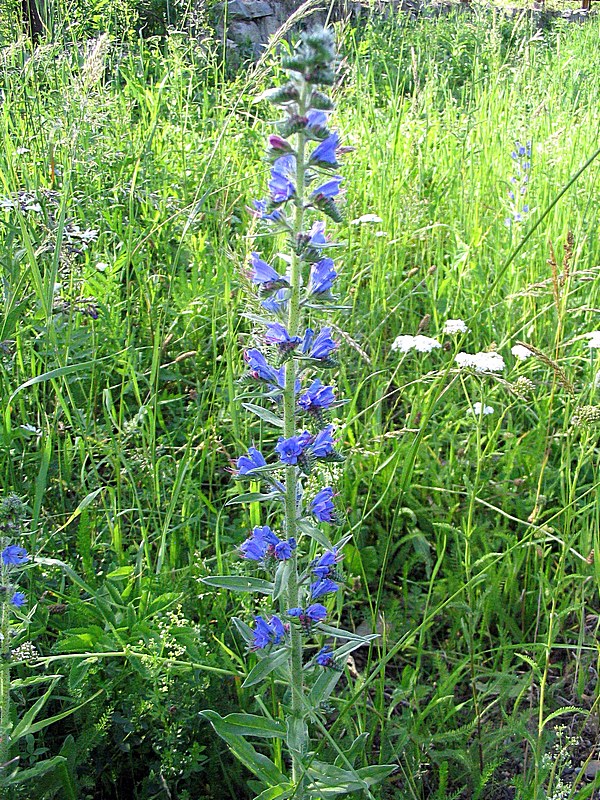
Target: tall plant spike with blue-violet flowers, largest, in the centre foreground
298 565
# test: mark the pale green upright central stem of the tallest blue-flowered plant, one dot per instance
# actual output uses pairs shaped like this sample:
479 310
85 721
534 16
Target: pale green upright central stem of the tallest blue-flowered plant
291 478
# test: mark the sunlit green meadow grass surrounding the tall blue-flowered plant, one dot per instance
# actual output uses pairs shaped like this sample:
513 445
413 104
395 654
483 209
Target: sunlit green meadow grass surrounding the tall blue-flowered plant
474 537
